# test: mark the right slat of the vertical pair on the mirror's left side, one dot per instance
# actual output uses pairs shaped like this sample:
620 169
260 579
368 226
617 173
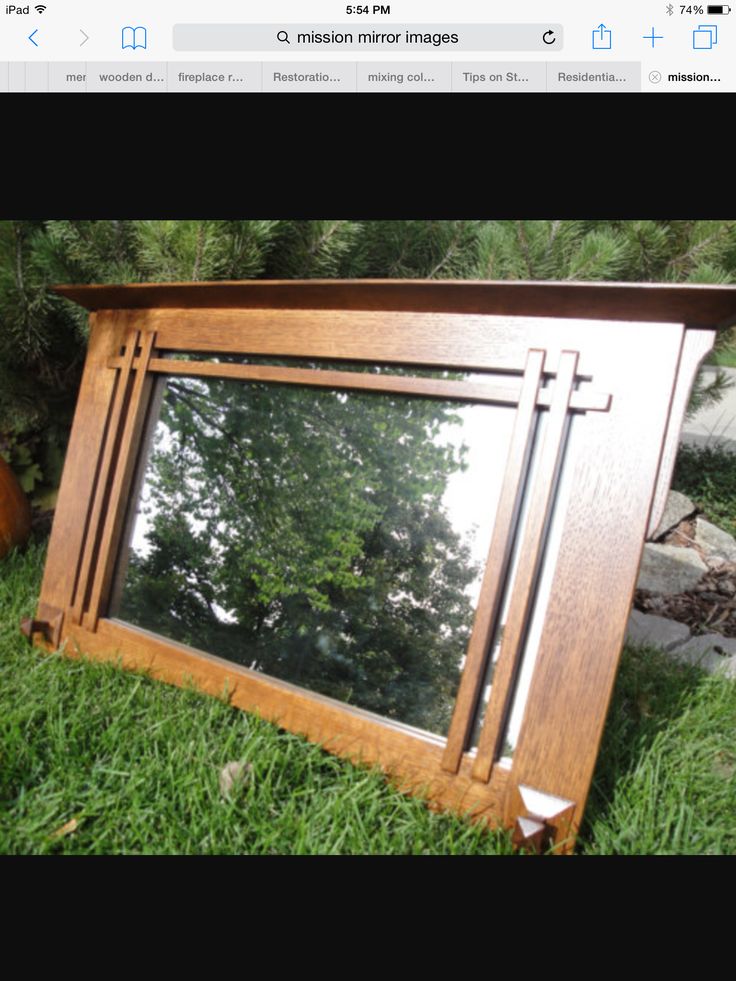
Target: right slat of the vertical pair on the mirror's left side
125 464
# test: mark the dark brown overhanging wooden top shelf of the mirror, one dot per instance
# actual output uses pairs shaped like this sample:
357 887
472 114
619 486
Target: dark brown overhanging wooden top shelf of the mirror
695 305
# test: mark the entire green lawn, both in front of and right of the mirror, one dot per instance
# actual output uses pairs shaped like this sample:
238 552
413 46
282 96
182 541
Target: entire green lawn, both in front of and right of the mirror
136 763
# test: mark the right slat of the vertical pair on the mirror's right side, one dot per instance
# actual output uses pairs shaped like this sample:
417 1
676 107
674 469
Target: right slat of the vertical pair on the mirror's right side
531 553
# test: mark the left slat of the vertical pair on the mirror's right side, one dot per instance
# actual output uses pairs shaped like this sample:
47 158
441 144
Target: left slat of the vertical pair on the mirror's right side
499 554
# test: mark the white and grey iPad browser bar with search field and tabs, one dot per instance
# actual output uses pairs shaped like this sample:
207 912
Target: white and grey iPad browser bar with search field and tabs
335 46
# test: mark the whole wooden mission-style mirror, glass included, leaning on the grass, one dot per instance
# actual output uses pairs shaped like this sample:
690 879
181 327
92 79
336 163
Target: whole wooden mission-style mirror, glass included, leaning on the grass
403 519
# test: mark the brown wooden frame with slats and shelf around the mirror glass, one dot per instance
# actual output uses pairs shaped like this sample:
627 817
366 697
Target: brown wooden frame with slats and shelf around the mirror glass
619 358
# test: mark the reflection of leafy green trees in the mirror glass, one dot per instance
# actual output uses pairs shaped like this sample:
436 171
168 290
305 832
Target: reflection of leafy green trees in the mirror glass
302 533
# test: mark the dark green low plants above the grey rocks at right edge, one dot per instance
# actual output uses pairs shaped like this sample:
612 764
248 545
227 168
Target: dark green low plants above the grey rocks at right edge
708 477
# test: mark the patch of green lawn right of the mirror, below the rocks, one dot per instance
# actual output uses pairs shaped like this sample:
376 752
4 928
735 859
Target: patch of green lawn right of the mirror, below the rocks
665 782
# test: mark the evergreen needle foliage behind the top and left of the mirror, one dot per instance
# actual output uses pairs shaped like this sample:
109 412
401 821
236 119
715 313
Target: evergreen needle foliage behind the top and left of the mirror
42 337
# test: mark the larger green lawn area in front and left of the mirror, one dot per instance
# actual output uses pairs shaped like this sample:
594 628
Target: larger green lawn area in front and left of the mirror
136 762
